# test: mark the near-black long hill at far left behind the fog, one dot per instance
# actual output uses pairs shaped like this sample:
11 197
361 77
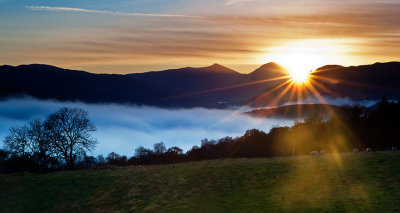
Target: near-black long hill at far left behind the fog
49 82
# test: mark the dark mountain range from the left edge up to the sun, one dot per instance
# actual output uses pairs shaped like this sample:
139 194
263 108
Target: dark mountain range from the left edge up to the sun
214 86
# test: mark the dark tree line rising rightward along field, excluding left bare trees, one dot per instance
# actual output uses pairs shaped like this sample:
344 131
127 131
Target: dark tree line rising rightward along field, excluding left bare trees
355 126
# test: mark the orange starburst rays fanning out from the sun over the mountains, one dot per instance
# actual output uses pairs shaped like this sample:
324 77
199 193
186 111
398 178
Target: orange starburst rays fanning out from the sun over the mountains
288 89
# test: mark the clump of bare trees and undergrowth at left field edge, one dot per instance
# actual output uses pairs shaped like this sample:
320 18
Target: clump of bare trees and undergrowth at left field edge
60 142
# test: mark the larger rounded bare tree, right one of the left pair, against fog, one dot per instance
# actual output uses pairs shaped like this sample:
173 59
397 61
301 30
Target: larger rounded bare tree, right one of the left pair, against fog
69 134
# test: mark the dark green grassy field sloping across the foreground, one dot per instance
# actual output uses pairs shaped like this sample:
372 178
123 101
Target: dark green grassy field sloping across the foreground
361 182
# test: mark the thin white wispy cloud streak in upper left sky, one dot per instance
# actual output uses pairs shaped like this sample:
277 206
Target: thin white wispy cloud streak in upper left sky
71 9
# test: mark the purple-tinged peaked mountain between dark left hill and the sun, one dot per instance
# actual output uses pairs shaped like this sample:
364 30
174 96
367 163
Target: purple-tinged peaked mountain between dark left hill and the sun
212 86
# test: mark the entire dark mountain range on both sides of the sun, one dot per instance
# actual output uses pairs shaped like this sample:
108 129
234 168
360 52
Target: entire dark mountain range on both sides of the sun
213 86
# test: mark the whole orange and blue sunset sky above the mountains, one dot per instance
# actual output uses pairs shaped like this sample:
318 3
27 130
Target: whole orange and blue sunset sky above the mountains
125 36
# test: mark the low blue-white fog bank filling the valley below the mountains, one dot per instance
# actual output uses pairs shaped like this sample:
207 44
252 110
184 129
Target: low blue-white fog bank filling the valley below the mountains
122 128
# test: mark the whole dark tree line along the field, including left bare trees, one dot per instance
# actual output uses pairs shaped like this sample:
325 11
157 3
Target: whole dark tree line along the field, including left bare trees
63 140
